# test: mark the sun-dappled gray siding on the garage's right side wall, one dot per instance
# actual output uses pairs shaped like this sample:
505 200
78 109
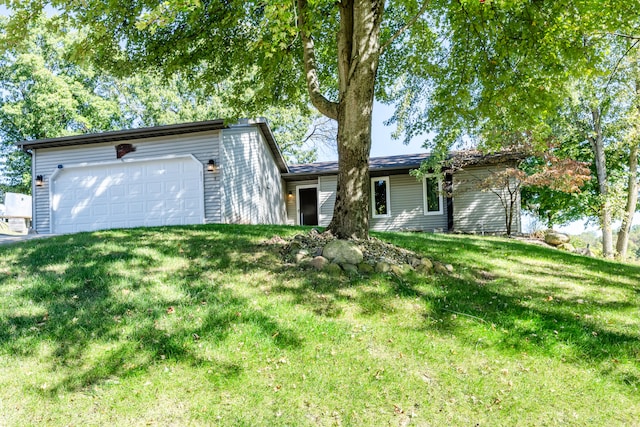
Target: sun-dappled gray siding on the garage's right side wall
252 190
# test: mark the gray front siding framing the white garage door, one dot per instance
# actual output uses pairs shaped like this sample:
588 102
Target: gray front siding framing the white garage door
202 145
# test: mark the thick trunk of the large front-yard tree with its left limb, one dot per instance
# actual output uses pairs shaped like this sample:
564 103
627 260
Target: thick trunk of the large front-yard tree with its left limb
358 57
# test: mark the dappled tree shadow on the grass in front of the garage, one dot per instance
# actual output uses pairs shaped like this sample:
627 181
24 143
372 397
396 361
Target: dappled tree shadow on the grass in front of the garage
114 303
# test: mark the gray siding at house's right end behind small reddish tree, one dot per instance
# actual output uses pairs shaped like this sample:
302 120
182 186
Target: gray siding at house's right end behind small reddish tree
475 210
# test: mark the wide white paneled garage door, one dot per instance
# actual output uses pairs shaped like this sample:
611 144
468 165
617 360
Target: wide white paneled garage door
128 194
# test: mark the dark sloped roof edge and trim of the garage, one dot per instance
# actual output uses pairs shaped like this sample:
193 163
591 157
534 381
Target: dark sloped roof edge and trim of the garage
155 131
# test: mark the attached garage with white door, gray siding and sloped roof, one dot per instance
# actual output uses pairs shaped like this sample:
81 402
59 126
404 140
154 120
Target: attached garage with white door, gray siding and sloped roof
188 173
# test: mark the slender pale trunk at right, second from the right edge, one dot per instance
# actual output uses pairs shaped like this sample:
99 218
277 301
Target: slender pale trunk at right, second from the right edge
597 145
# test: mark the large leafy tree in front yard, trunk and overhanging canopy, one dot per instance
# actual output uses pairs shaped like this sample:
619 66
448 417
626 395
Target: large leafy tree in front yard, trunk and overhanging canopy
491 70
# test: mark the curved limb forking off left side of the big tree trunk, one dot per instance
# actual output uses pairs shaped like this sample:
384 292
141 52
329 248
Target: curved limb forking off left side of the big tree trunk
326 107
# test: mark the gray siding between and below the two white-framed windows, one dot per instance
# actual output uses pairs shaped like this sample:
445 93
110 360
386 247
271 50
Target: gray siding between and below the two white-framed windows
407 208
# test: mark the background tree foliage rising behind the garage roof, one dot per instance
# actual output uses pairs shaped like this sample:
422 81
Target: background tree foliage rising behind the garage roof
45 94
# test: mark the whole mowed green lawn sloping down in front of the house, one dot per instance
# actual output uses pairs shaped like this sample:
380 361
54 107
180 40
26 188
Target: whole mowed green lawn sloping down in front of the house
204 326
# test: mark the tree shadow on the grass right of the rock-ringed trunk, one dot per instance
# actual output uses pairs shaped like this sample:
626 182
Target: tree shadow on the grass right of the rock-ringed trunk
518 317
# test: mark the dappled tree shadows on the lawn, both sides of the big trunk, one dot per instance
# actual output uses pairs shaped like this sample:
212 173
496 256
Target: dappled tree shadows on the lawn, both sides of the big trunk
115 291
